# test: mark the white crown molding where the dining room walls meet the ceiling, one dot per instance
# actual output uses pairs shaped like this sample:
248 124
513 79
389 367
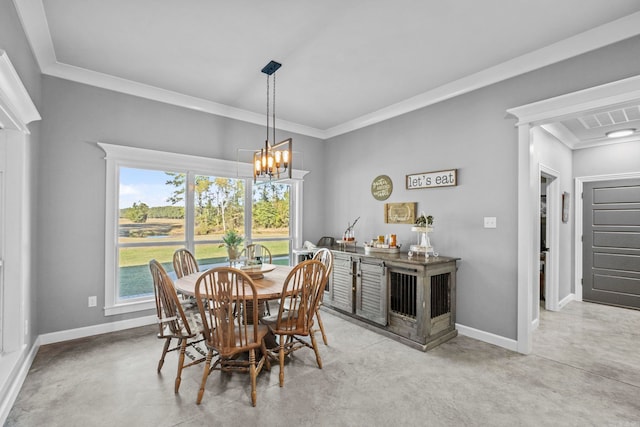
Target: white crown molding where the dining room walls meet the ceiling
34 22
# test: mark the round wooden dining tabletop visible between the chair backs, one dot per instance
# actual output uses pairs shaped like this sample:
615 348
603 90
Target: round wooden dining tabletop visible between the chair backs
269 286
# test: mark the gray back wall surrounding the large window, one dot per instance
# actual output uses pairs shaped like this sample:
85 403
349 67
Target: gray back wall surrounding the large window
72 183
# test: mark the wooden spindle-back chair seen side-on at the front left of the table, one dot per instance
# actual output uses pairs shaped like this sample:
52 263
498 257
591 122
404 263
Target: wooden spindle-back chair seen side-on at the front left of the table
174 323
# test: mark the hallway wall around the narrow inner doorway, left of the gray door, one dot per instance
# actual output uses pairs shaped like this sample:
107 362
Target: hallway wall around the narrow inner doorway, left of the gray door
550 152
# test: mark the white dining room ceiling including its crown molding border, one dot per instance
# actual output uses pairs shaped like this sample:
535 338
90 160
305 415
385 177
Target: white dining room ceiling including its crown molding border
346 64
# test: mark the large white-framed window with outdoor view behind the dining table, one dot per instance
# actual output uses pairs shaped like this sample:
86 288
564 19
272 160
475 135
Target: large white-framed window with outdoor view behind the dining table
158 202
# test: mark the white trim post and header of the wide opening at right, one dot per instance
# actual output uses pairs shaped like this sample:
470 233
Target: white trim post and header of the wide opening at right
528 116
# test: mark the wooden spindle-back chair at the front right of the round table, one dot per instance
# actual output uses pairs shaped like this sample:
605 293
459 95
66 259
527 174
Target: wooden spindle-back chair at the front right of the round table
301 294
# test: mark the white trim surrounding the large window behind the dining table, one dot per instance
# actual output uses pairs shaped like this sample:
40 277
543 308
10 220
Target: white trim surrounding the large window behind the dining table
122 156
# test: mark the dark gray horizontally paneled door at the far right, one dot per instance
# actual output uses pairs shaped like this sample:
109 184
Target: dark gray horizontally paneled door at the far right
611 242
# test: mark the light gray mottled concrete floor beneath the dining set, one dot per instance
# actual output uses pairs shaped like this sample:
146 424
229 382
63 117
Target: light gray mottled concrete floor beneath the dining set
584 370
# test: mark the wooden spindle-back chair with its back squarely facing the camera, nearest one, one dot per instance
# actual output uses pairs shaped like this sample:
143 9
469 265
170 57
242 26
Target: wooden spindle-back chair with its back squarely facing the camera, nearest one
228 305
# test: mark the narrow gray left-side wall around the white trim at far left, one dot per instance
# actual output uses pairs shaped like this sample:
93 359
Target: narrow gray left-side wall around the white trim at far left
14 42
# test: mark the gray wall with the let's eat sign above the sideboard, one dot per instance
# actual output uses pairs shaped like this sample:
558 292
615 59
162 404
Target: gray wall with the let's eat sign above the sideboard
469 133
